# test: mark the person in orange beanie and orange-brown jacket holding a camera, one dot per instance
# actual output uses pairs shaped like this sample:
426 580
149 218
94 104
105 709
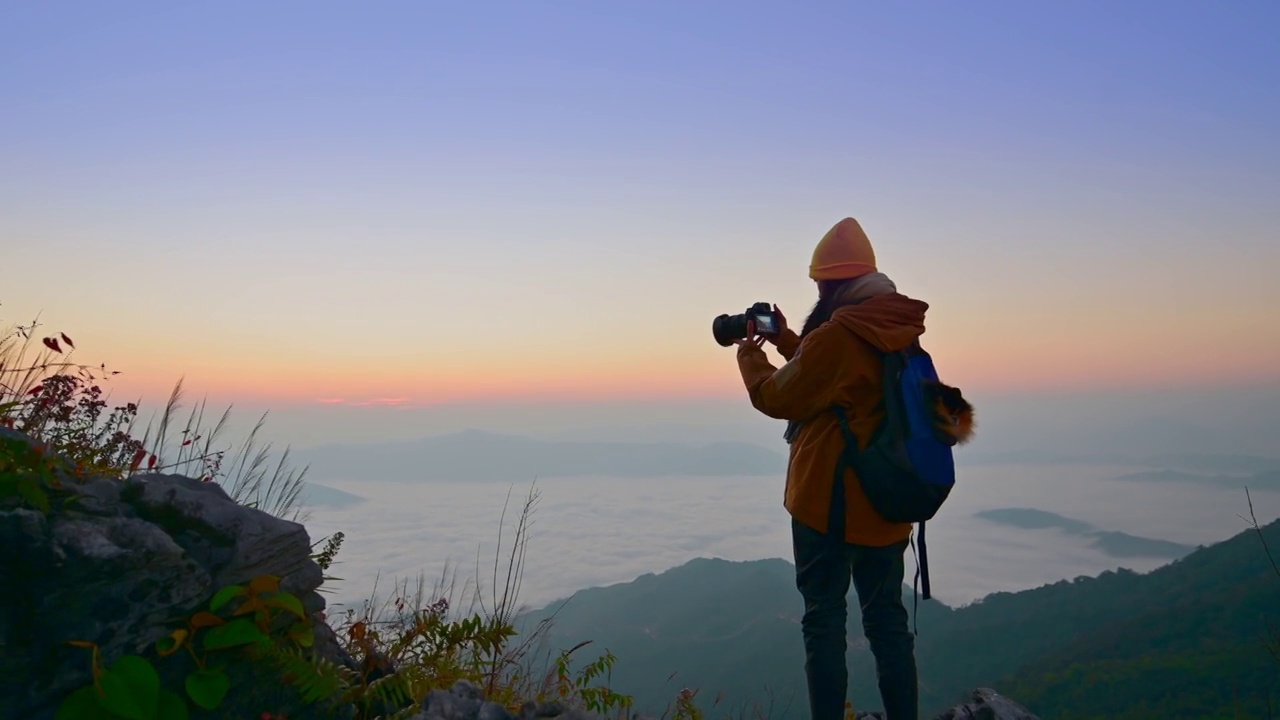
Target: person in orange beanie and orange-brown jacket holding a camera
833 362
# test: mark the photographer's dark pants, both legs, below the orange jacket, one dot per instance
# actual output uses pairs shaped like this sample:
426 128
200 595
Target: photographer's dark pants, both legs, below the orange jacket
822 577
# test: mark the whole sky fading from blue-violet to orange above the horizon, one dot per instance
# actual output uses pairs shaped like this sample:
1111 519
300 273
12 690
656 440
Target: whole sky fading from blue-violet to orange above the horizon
417 203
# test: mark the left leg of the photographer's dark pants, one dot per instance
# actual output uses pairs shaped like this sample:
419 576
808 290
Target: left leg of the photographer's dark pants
822 578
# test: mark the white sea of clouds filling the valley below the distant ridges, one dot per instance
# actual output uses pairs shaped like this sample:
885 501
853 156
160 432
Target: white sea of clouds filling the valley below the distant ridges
589 532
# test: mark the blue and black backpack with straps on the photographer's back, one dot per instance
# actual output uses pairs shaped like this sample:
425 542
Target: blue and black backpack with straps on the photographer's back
908 470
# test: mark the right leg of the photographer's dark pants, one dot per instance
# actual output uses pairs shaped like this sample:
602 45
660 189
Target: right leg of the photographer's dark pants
879 580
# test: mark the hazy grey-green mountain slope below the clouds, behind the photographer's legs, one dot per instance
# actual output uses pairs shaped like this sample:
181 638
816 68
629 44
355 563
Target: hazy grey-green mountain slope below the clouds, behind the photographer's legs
728 628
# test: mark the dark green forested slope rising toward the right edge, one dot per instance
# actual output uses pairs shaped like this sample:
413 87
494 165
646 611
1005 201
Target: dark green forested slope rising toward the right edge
1214 599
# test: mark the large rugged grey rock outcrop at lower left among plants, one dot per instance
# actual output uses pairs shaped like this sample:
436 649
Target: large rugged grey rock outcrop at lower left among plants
122 567
